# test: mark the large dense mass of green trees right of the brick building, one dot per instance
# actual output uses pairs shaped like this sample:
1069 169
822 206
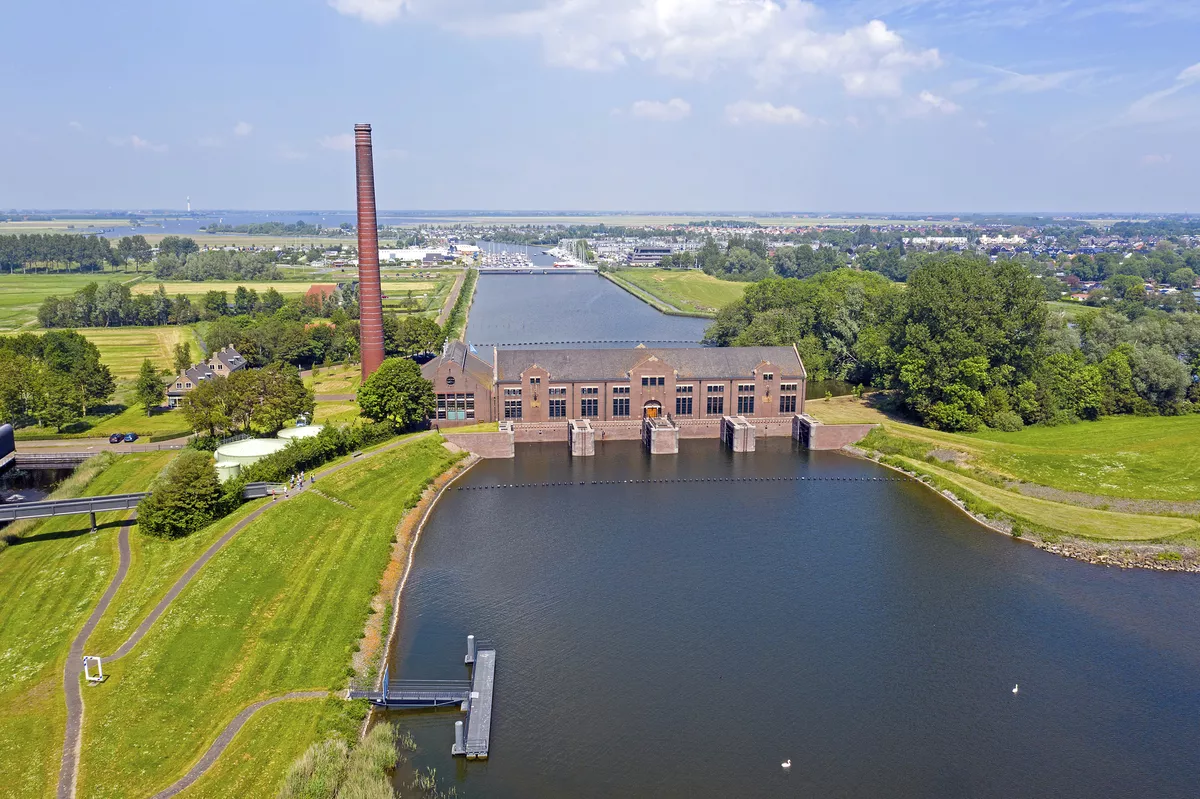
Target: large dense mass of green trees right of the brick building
969 343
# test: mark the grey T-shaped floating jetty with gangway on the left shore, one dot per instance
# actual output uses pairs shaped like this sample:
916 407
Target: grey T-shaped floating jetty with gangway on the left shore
475 698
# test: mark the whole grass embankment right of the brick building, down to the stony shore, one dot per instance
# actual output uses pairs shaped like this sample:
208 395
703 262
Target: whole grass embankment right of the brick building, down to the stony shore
1117 465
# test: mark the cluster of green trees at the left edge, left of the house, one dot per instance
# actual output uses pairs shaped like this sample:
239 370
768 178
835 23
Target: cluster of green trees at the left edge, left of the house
52 380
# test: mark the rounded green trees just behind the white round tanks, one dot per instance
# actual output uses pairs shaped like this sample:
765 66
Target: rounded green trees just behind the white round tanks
250 401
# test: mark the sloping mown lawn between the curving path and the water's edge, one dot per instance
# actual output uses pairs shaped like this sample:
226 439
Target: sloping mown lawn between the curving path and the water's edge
281 609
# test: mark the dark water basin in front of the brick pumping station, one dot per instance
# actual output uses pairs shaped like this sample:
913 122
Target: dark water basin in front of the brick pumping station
683 639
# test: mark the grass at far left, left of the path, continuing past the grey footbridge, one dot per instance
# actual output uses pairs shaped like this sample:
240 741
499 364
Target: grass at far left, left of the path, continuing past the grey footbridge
52 581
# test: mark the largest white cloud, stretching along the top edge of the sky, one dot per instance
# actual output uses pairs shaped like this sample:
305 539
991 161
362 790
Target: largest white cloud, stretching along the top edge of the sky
771 40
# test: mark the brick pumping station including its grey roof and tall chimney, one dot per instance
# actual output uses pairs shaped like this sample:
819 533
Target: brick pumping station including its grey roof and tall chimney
583 395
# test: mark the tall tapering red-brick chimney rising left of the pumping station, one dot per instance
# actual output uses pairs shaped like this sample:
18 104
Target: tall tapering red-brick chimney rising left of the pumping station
370 293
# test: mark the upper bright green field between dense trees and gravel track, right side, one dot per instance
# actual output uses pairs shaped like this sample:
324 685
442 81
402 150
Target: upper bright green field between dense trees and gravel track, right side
1135 458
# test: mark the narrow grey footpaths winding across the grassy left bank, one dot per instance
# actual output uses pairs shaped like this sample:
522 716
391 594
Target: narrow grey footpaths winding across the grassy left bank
73 674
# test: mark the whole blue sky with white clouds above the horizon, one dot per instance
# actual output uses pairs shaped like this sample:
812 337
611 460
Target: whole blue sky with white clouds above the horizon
605 105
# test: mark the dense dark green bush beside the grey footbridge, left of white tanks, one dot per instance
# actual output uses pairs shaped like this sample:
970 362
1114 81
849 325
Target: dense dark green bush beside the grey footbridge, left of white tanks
184 500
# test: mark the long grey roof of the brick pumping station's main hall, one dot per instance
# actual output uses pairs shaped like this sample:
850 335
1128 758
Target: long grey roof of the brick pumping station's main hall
712 363
